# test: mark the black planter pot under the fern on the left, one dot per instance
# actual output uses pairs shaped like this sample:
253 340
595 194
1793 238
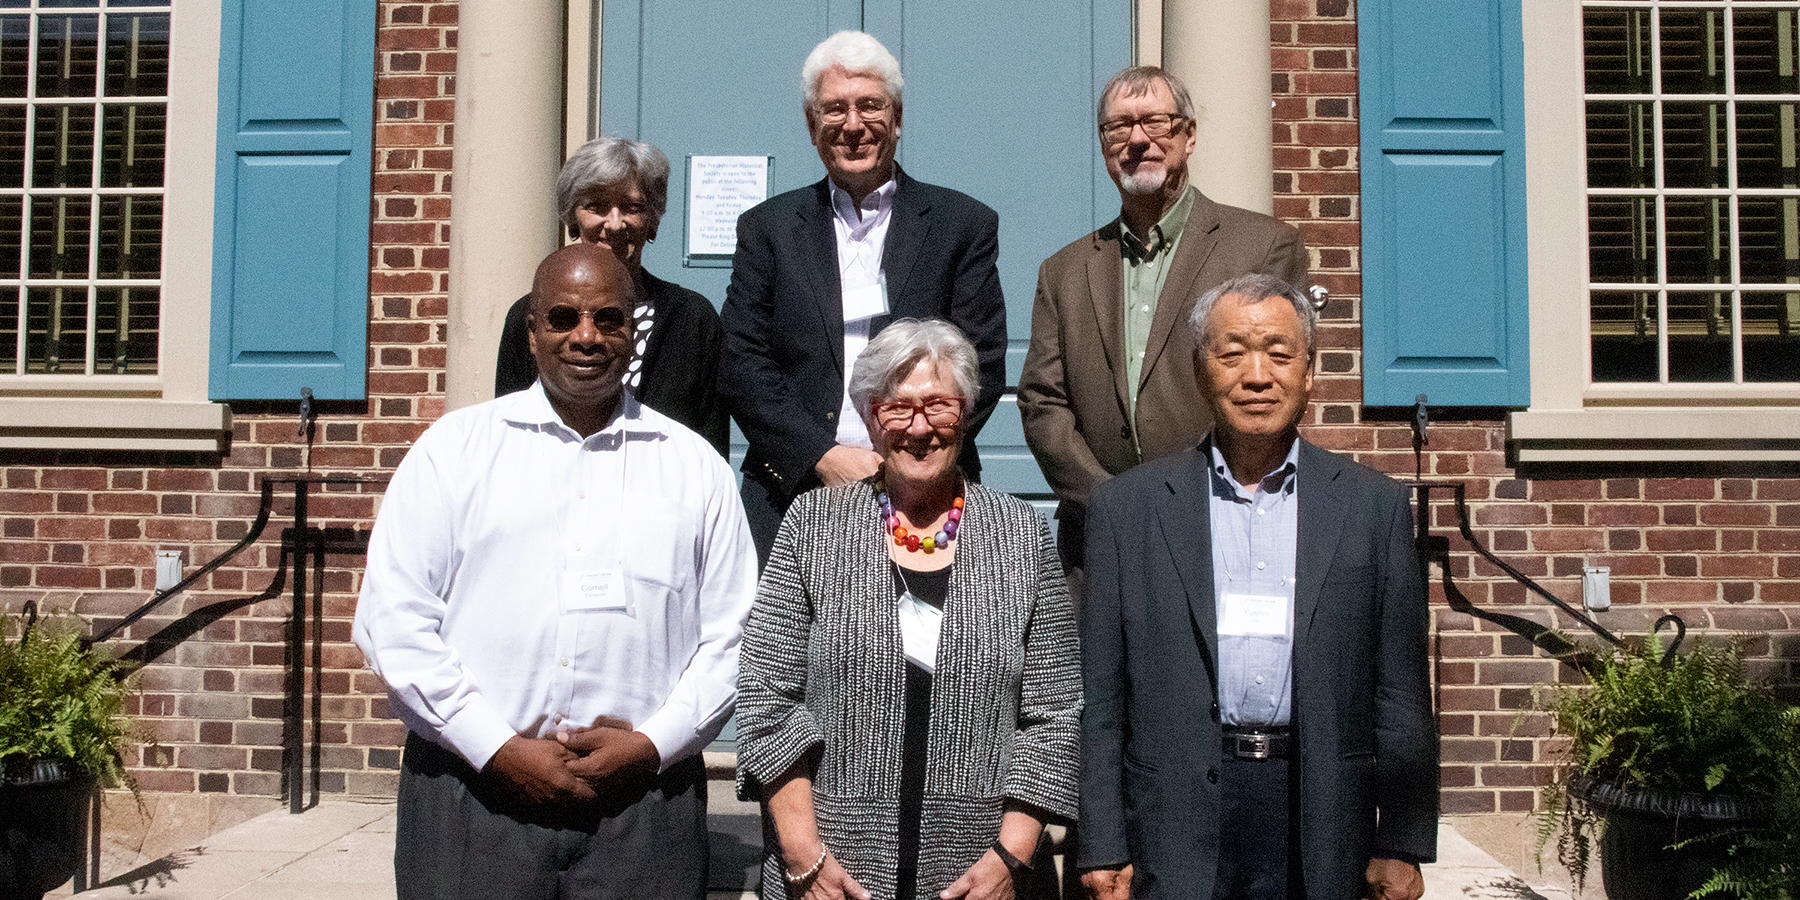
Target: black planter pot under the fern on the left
42 816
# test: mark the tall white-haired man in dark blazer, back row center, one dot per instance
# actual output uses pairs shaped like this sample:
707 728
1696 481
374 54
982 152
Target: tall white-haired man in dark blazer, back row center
814 278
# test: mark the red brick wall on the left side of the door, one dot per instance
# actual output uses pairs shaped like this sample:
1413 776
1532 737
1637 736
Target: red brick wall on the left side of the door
82 530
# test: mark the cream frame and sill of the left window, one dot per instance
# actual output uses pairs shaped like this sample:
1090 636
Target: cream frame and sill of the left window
170 409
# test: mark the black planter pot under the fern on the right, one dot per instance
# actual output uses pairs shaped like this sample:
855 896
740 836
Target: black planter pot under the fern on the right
1642 825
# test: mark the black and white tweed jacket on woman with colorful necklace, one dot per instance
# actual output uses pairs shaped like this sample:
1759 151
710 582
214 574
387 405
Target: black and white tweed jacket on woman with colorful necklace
822 665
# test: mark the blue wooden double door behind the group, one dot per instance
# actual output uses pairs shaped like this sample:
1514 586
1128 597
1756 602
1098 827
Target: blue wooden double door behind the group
1000 103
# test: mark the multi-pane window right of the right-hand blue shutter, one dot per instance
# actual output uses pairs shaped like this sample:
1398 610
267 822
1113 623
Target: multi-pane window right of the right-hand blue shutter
1693 192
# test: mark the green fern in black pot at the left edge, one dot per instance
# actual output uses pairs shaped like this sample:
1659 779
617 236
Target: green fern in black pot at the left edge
62 735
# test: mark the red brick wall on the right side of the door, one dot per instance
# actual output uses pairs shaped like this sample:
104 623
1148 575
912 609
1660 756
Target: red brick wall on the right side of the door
1723 553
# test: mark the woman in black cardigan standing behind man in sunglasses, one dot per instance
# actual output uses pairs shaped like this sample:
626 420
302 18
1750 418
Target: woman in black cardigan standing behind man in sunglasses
613 193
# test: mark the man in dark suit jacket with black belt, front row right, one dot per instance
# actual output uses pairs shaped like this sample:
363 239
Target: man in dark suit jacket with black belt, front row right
1254 643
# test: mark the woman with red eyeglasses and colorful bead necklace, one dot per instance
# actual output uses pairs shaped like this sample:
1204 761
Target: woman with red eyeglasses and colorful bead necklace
910 685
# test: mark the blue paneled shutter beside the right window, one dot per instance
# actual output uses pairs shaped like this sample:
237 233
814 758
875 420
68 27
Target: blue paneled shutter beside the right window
1444 292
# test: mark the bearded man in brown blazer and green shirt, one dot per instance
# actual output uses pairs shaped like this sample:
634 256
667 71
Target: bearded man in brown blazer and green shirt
1110 377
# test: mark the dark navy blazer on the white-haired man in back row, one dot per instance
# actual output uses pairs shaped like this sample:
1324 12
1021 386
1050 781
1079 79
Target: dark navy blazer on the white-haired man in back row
784 373
